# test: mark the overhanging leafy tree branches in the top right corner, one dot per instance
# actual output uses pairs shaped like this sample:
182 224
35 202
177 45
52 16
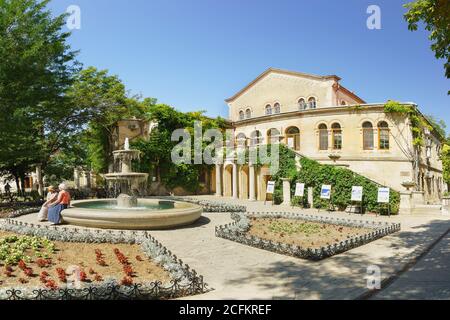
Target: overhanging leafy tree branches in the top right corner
435 14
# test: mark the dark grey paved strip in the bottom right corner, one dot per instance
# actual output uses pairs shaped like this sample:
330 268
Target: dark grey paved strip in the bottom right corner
429 279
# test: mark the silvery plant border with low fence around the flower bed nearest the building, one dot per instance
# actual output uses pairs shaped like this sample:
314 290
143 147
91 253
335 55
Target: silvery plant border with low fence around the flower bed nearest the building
237 231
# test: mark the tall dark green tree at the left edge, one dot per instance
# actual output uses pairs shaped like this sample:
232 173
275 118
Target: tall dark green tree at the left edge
36 69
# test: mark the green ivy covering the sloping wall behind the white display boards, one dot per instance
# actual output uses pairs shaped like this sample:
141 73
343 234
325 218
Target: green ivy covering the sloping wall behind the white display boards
314 175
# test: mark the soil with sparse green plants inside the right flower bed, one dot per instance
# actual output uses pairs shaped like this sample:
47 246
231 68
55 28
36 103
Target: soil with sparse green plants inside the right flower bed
302 233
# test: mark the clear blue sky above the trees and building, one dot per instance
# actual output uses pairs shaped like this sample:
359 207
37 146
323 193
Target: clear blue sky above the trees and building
193 54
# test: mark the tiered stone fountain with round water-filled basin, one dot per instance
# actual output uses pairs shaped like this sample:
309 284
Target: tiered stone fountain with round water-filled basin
128 211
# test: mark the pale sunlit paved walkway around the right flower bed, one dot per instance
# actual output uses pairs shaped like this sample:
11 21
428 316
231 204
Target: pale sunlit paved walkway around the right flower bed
237 271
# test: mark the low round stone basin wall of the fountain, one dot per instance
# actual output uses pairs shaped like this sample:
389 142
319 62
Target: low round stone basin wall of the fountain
181 214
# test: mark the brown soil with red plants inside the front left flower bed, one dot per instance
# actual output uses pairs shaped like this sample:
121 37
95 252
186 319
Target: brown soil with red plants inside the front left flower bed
124 262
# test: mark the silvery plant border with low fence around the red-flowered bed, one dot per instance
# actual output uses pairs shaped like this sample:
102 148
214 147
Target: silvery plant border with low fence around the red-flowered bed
185 281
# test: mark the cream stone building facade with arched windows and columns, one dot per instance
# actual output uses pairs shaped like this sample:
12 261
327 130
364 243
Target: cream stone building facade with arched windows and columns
322 120
